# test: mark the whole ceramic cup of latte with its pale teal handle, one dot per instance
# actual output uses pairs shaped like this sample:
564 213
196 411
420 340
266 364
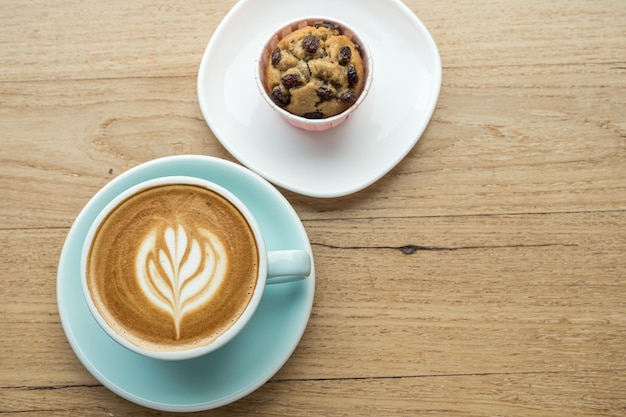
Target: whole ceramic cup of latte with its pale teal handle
174 267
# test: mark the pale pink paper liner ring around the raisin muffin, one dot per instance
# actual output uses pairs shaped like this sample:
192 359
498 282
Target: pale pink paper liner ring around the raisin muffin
300 121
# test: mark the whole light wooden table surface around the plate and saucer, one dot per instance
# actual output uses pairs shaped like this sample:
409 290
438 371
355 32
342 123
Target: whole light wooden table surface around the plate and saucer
485 275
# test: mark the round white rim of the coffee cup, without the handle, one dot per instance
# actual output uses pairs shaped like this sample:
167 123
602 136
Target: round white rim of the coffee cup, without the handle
243 319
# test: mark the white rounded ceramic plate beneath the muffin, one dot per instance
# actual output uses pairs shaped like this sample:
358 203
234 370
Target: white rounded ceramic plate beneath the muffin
348 158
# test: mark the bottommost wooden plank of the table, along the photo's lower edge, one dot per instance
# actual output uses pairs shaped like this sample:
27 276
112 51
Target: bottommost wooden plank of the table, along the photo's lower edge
525 395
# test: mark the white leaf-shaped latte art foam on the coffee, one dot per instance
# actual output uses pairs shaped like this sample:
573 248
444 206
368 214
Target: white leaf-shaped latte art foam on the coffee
180 271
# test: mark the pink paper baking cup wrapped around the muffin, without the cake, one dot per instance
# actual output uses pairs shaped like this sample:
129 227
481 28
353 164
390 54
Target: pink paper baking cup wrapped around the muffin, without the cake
313 125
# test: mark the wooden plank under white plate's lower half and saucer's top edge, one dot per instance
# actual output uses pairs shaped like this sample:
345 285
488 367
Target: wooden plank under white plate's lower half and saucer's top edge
484 159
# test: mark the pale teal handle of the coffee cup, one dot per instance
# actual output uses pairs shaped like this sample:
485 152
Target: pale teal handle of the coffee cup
287 266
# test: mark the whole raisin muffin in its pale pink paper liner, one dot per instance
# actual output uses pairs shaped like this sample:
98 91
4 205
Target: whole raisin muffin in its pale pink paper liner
314 69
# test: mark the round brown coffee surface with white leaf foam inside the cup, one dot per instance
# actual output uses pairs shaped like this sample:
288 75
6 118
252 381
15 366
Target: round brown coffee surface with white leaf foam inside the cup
173 267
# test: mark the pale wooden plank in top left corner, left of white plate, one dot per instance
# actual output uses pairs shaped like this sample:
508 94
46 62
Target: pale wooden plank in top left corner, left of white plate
61 40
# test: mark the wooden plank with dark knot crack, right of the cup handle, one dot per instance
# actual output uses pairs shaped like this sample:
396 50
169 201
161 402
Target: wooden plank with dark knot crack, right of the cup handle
468 294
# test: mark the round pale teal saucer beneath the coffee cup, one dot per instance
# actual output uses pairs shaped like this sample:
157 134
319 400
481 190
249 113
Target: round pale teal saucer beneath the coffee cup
229 373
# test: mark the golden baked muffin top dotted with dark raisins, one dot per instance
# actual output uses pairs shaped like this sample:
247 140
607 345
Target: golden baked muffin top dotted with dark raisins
315 72
